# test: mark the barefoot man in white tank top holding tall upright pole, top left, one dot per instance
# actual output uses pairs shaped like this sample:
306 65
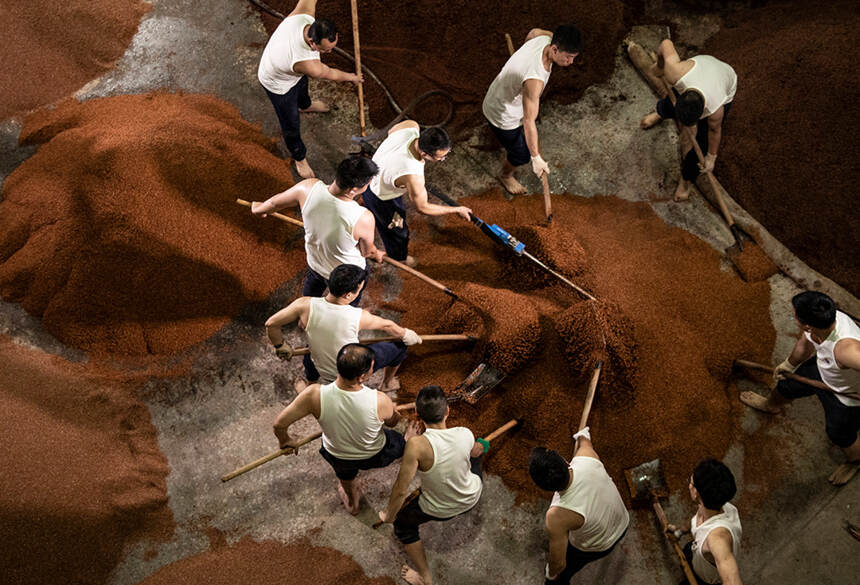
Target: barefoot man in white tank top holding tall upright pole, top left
289 58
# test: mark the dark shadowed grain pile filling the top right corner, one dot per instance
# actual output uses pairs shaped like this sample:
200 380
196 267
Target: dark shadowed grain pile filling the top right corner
788 140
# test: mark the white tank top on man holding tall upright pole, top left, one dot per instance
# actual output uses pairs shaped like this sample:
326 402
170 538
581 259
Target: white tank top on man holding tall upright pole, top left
285 48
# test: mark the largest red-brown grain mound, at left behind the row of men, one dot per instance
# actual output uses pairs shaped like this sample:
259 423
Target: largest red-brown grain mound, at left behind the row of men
122 232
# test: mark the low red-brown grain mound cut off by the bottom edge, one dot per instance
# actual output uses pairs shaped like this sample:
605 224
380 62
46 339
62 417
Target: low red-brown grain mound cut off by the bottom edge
266 563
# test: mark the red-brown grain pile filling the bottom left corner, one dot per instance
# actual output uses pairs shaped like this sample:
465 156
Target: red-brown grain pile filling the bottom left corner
82 472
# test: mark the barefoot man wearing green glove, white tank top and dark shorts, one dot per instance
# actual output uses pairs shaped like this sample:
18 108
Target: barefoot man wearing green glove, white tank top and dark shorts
448 462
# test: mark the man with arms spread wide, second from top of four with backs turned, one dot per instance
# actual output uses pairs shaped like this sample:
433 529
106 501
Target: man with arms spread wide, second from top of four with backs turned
331 322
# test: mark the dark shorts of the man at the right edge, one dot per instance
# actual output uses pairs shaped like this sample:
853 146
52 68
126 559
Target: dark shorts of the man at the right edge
841 422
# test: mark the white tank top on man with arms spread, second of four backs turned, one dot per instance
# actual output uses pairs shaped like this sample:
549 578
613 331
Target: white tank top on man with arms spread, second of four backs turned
329 328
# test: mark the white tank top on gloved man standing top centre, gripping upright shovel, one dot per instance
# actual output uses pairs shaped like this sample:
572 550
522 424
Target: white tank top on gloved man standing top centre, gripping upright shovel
503 104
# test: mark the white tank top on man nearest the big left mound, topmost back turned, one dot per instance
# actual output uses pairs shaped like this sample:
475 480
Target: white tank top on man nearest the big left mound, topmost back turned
329 222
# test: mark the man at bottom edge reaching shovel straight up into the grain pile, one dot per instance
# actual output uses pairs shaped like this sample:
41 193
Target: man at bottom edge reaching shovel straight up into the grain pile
586 517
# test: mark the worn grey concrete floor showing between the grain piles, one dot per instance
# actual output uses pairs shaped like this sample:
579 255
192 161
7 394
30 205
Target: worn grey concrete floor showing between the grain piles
219 416
